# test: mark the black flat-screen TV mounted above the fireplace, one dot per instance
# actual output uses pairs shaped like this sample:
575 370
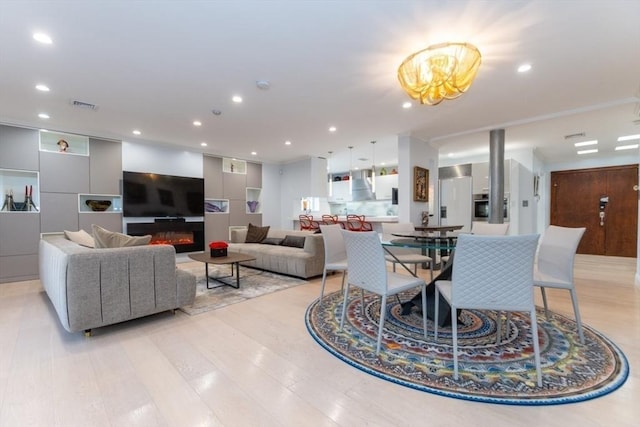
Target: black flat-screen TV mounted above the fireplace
155 195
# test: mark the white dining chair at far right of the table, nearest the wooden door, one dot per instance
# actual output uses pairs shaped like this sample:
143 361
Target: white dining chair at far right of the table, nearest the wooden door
554 265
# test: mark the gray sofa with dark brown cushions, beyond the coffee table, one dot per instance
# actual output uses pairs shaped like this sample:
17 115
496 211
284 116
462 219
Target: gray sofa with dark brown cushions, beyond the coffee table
304 262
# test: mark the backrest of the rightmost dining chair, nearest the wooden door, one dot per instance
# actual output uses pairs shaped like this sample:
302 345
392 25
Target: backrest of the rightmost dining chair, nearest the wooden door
557 252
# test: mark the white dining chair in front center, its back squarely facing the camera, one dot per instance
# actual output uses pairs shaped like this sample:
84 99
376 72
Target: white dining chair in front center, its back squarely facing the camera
491 273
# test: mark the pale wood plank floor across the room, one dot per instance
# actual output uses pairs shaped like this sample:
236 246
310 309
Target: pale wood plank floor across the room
254 364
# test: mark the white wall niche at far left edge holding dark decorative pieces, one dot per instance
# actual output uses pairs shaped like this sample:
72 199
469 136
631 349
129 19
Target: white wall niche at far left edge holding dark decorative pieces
16 186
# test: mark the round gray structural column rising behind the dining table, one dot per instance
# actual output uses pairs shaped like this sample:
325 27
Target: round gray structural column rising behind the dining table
496 176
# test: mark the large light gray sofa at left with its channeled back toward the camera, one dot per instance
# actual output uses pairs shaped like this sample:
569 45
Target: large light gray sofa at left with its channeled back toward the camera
90 287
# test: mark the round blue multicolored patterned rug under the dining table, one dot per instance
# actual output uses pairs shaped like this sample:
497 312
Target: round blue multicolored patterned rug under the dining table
503 373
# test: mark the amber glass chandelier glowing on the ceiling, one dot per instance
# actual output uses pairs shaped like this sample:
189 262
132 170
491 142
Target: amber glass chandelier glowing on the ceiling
442 71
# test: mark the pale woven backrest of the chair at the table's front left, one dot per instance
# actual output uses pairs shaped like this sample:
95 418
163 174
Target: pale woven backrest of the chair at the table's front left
366 266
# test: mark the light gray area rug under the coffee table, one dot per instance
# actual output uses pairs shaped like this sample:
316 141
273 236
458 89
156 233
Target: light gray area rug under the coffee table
253 283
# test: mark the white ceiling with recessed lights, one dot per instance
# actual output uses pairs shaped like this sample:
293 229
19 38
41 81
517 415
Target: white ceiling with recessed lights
157 66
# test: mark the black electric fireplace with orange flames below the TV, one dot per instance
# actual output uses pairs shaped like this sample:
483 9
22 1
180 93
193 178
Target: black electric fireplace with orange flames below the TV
184 236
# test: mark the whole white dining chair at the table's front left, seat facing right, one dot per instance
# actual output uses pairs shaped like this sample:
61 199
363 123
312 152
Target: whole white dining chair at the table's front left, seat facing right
367 270
